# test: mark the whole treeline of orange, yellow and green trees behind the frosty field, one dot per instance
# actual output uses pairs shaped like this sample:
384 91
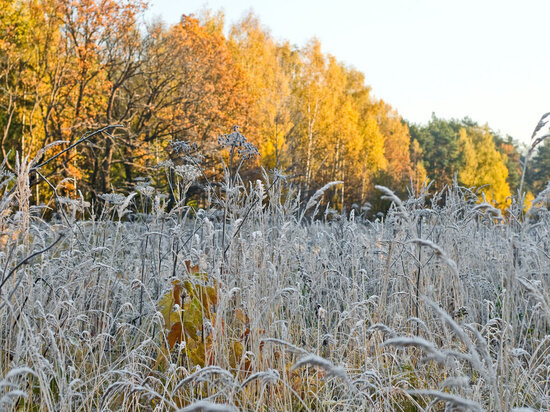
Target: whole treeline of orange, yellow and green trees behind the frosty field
68 67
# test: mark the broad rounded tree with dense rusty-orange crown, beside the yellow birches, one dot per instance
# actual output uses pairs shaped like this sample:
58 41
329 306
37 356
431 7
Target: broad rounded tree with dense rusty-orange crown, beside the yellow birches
192 89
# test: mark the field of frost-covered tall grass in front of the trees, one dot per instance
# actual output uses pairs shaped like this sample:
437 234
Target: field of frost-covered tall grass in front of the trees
442 303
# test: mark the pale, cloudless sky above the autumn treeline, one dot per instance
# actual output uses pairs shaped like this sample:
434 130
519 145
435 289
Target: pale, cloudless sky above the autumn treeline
485 59
